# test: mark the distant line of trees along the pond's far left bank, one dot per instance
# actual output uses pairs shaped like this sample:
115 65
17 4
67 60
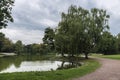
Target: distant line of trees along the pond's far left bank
19 48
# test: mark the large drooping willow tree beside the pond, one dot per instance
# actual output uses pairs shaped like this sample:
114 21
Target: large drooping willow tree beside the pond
80 30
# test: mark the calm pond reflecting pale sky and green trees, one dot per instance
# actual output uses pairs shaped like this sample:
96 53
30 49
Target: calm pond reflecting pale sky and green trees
23 64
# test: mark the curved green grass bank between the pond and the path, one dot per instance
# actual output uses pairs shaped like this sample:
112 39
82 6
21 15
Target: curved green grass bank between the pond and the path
68 74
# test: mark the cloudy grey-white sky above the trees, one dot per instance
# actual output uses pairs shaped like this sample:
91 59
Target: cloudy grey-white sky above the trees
31 17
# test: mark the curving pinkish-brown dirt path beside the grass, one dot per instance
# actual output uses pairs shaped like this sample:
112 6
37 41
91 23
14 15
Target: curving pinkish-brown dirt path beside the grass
110 70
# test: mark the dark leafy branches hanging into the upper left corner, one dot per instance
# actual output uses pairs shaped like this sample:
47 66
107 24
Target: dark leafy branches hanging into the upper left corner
5 12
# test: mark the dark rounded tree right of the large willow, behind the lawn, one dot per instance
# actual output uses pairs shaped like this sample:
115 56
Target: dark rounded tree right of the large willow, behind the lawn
107 44
